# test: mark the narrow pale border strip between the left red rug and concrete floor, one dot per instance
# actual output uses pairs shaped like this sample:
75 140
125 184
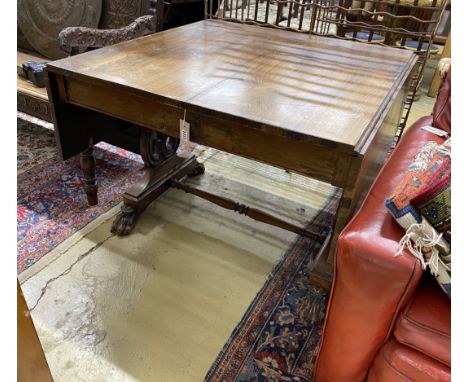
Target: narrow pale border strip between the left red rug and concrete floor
65 245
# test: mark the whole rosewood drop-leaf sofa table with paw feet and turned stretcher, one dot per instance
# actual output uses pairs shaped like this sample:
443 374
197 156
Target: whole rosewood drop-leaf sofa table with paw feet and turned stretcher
321 107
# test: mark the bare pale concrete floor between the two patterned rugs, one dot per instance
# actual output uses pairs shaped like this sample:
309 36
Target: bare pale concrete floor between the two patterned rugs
159 304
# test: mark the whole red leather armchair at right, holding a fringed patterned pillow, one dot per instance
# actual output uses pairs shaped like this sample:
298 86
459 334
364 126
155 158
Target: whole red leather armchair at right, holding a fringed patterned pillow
386 319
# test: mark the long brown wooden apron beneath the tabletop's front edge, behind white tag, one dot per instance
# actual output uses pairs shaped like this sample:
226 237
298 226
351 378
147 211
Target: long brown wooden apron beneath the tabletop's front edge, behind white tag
303 157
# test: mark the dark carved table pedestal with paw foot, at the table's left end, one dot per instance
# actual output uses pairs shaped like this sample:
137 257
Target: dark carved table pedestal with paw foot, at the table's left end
162 165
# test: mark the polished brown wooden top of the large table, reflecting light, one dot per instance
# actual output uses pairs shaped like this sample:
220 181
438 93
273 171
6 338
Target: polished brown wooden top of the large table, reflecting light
310 87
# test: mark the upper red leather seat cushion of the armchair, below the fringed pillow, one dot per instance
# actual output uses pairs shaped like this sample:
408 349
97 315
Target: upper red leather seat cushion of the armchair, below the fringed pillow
424 324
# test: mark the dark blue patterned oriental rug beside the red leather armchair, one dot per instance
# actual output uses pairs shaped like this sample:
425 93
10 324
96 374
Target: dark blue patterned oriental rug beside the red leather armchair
277 339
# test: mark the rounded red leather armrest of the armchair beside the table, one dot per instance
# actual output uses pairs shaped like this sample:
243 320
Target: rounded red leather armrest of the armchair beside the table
370 284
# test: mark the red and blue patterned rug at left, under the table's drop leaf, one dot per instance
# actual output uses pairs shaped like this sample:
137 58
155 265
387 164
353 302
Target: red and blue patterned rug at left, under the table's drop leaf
51 203
